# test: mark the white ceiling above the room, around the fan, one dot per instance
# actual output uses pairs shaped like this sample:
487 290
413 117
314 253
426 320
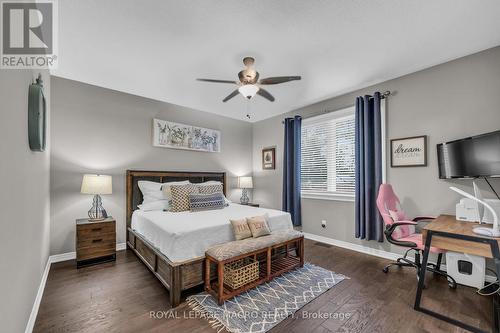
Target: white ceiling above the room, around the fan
158 48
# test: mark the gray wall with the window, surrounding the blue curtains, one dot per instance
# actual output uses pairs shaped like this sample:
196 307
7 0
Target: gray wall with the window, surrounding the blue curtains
445 102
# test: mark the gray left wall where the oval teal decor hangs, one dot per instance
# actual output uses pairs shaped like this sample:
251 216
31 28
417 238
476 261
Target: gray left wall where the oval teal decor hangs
24 175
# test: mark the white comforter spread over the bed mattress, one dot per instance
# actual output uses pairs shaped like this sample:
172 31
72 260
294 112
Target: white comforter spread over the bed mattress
183 236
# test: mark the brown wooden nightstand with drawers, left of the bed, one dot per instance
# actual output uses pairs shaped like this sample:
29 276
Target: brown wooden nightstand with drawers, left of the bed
95 241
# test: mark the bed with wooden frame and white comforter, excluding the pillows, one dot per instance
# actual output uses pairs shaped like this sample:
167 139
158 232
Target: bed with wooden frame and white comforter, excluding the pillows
172 245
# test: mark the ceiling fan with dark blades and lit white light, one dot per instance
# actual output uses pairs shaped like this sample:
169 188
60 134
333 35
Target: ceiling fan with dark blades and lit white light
249 84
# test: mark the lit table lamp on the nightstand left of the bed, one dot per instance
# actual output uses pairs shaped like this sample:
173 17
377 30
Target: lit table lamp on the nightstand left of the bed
97 185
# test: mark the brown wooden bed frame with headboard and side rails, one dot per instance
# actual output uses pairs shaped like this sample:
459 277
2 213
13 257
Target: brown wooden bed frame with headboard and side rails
176 277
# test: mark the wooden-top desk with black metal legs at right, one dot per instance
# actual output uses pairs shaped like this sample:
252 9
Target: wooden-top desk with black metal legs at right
447 233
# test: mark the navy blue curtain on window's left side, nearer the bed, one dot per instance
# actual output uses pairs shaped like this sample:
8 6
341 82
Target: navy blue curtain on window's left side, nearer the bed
291 169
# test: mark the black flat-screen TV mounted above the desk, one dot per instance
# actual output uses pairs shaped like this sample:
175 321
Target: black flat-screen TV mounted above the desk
477 156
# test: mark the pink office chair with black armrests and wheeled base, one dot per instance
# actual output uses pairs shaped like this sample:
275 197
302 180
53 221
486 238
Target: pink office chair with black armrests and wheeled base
399 230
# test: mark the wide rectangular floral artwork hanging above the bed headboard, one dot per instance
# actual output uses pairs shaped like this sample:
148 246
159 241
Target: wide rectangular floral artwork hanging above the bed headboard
167 134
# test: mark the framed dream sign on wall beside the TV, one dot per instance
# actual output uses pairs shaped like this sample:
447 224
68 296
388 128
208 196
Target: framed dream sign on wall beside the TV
409 152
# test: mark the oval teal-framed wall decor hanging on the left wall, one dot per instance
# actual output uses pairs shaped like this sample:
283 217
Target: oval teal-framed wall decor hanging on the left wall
37 108
